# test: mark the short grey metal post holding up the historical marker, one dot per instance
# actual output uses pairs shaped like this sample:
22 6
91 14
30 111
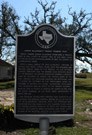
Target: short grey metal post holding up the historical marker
44 126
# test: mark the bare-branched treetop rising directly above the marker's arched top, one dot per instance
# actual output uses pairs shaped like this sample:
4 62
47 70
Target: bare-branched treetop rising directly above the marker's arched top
49 16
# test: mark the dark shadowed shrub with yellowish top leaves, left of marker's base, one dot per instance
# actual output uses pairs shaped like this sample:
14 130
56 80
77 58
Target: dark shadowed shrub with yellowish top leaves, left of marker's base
8 121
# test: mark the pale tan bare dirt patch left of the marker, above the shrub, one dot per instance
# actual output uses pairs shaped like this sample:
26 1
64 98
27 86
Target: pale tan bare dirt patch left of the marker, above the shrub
7 97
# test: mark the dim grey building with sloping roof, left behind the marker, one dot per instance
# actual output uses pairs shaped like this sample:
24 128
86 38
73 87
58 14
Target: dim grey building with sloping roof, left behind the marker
6 71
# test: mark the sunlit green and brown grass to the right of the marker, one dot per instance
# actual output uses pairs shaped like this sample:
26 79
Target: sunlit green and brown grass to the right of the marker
83 95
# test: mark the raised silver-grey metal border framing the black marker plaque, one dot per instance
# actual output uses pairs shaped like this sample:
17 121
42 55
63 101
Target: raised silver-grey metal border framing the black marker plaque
52 117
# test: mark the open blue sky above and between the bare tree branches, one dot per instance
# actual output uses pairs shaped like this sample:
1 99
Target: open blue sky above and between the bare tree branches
24 7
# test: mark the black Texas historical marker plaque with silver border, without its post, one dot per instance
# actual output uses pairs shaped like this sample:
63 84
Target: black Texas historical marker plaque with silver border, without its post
44 75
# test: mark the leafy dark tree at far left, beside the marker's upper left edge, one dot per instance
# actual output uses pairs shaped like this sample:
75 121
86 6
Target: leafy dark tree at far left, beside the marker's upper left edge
9 27
